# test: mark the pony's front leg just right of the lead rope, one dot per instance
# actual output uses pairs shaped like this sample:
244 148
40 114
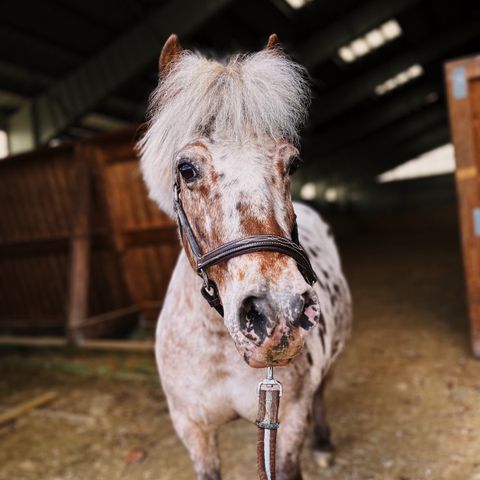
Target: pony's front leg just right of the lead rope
291 436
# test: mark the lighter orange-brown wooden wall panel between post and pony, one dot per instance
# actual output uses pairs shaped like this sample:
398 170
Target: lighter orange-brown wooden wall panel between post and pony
145 238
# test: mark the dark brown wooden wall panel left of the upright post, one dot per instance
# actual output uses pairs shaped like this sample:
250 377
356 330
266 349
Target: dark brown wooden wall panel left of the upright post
35 223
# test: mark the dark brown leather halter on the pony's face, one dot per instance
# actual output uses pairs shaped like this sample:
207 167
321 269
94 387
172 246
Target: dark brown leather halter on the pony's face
234 248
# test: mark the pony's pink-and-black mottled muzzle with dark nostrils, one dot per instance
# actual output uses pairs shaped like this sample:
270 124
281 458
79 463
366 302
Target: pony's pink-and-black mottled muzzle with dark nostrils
272 328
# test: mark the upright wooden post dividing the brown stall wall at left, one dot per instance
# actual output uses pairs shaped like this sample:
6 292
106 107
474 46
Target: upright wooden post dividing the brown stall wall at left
80 245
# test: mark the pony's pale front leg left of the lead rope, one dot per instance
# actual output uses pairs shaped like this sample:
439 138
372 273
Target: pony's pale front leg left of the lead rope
201 443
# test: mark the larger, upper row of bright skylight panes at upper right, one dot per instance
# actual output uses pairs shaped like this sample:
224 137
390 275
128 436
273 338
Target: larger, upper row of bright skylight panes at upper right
372 40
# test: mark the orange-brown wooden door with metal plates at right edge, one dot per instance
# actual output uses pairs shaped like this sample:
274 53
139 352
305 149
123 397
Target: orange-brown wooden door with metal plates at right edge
463 85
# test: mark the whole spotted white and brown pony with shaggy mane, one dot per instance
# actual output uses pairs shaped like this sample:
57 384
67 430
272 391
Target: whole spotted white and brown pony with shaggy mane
227 131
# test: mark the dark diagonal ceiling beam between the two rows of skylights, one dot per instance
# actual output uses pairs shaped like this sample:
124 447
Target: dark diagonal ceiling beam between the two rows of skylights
340 99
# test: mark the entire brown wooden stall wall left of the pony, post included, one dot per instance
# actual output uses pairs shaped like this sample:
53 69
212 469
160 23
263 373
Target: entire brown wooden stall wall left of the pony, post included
83 251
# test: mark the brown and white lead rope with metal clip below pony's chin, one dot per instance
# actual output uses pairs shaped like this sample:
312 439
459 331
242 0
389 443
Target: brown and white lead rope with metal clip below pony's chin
269 392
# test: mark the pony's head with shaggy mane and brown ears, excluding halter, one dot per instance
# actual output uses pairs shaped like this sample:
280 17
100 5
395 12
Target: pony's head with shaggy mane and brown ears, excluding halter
227 131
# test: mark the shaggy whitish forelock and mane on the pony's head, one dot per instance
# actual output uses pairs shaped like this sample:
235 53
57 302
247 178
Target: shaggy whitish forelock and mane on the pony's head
261 94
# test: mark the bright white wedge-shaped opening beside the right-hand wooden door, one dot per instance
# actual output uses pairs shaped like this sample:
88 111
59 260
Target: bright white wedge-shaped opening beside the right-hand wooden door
438 161
